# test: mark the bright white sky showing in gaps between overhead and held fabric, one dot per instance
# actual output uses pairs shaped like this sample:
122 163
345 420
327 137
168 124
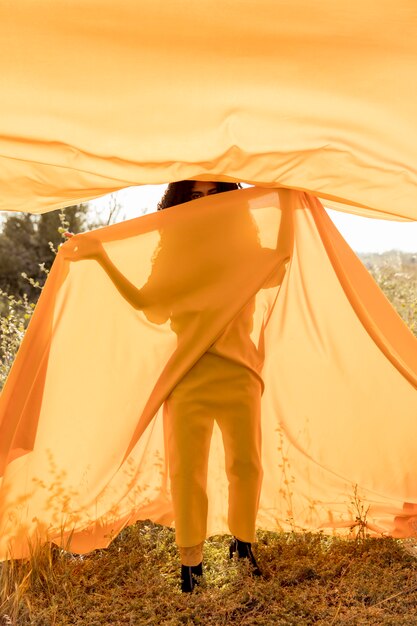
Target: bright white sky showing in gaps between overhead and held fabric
362 234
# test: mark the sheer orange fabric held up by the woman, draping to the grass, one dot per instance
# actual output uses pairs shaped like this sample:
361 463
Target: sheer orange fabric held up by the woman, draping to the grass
82 443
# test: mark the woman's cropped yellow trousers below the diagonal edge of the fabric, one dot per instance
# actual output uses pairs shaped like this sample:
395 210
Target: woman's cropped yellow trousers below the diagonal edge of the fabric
214 389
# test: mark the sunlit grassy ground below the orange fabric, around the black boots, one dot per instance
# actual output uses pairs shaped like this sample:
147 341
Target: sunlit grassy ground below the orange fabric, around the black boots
308 579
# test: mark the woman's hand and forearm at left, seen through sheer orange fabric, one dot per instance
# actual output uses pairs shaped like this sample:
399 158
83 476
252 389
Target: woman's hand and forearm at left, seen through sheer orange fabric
86 247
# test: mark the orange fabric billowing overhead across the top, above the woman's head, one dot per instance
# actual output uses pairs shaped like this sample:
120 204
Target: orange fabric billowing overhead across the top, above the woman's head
97 95
